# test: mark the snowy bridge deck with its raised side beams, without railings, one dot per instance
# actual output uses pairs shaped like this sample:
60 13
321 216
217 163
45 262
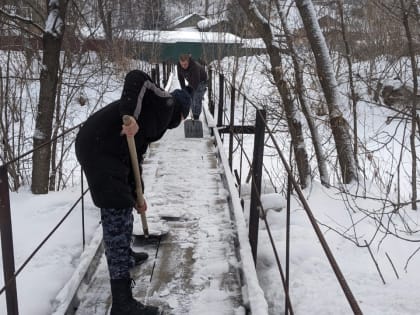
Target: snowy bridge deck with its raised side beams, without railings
203 265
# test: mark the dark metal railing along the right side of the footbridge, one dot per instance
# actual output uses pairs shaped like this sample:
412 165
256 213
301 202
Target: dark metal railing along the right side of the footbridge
226 125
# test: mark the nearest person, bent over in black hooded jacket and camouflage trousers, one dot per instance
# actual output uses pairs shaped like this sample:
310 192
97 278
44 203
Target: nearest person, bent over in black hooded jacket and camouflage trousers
102 151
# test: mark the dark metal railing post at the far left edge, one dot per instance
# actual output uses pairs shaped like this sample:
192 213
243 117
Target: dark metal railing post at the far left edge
7 244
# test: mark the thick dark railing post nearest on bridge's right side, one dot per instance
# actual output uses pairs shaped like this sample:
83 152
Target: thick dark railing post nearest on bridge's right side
257 163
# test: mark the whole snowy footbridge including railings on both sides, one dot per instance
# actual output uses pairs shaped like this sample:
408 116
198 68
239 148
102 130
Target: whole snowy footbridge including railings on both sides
204 262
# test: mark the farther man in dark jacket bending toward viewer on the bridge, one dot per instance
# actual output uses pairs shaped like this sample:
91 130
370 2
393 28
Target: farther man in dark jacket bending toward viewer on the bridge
190 70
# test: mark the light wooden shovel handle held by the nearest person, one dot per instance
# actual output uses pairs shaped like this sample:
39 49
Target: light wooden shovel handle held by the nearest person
137 176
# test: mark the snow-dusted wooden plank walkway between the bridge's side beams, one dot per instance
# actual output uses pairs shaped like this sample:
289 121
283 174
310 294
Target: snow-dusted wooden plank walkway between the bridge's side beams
195 270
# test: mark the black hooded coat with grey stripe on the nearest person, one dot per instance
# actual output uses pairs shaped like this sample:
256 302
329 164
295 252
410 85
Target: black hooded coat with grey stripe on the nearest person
102 150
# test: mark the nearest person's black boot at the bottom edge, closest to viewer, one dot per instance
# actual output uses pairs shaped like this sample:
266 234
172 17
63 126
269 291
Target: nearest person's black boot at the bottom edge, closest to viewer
123 302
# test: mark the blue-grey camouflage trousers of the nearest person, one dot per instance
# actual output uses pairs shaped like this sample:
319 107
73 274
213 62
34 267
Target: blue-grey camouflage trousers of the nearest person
117 226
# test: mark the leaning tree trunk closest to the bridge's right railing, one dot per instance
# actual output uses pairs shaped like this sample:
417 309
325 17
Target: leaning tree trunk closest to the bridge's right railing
295 126
